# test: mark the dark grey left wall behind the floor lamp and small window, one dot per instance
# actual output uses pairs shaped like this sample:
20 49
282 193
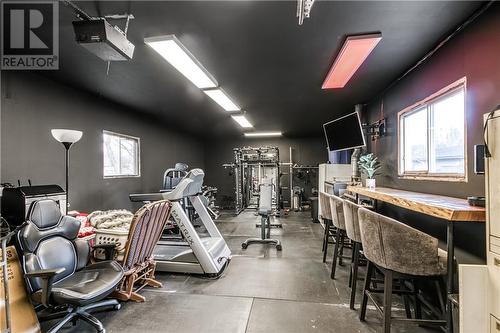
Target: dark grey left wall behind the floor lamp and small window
32 105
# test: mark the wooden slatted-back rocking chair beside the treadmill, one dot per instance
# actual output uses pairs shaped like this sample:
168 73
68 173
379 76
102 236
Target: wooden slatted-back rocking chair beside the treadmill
145 231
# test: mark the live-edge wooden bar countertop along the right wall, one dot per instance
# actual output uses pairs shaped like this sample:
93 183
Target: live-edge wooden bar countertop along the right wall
448 208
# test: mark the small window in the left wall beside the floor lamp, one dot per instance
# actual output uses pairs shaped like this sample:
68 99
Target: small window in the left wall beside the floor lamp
121 155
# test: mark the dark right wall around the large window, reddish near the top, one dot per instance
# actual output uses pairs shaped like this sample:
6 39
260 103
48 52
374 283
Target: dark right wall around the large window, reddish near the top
475 54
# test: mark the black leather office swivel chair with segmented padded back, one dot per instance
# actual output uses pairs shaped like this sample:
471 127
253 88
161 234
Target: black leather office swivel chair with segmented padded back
55 267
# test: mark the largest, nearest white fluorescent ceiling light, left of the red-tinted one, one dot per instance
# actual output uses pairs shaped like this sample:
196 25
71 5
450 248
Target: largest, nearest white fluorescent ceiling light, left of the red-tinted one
172 50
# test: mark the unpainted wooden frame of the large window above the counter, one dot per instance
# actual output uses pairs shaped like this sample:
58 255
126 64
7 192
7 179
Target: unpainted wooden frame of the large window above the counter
426 103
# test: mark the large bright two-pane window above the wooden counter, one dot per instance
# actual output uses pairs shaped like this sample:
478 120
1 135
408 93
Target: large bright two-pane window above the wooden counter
432 136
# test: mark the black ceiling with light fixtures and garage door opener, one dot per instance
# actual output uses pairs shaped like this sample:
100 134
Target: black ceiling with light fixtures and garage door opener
269 65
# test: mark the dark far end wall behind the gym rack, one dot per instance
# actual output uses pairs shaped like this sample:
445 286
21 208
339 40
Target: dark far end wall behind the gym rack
306 151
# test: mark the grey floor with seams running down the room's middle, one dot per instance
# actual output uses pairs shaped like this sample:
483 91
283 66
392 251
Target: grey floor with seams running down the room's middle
262 290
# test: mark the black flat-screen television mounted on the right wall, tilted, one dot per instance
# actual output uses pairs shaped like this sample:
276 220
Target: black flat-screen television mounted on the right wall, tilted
344 133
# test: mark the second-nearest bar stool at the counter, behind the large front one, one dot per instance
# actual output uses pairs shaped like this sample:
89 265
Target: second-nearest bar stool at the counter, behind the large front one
354 234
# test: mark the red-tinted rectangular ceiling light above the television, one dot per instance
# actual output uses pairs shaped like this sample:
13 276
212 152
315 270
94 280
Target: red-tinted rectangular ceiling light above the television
352 55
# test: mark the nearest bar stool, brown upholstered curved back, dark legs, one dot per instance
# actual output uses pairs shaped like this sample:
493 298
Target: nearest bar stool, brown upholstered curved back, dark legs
402 253
